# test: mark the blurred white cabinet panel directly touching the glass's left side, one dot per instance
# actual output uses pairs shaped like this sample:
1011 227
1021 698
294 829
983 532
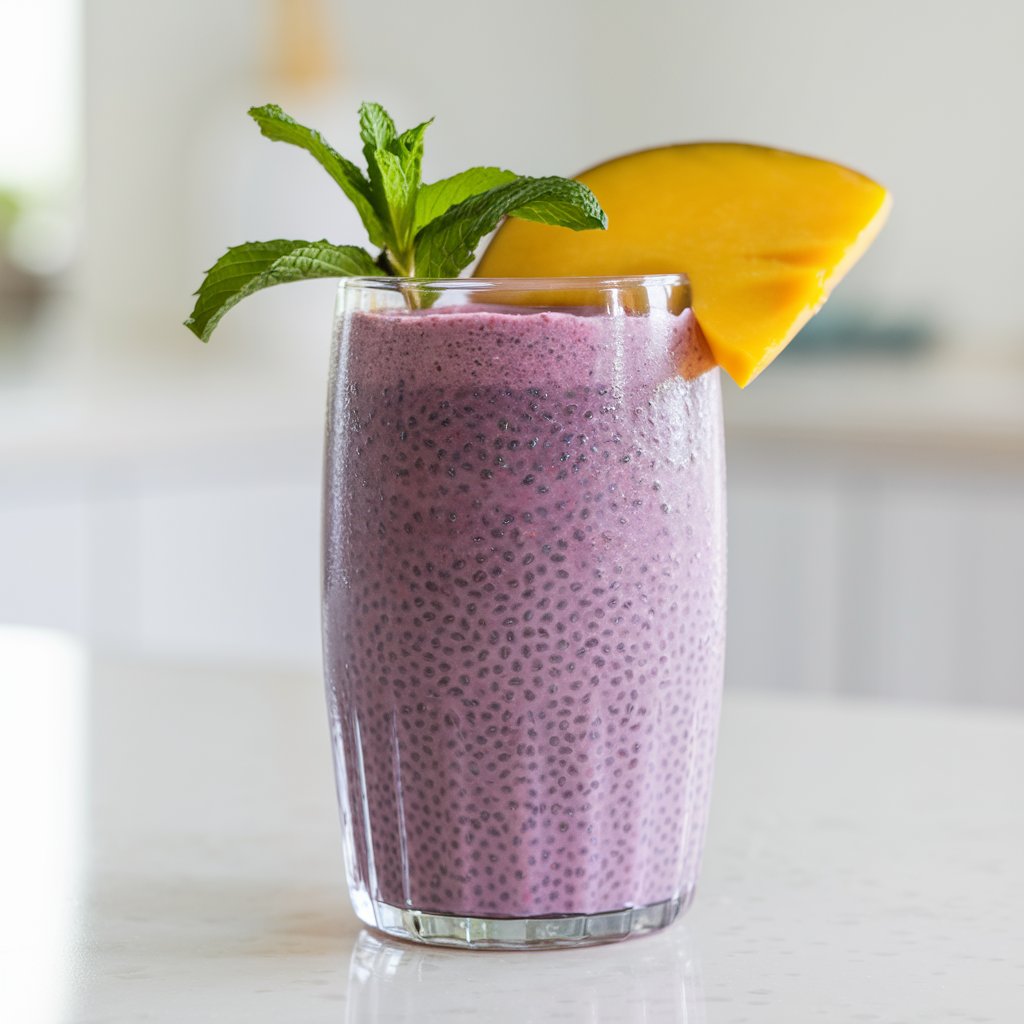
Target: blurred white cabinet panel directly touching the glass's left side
232 572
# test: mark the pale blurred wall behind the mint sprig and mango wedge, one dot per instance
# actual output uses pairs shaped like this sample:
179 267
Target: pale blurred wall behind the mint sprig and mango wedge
923 95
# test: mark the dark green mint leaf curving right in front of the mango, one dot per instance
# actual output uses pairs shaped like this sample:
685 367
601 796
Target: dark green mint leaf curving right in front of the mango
447 245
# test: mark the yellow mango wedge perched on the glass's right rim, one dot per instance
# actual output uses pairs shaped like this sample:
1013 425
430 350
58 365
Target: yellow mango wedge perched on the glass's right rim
763 235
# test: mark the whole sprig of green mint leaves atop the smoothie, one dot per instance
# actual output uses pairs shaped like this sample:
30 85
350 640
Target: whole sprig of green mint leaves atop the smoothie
423 231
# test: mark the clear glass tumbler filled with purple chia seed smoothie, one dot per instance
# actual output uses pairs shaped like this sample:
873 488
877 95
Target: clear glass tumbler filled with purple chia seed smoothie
524 605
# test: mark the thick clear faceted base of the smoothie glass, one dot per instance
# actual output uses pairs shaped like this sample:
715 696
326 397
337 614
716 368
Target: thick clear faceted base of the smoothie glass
523 933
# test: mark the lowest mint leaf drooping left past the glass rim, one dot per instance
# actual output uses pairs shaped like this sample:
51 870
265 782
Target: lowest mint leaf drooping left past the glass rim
254 266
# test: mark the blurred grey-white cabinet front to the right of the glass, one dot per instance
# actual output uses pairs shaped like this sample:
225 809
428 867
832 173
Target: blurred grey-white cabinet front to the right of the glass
862 573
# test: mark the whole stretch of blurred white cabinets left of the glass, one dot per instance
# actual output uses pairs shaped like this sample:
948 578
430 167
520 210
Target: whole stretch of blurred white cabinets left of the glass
216 559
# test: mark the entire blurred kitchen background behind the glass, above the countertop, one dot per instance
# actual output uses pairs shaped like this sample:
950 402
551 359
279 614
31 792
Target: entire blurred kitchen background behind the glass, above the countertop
160 498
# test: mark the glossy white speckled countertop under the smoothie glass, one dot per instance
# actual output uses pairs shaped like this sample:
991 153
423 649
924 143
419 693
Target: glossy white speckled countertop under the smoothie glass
863 865
